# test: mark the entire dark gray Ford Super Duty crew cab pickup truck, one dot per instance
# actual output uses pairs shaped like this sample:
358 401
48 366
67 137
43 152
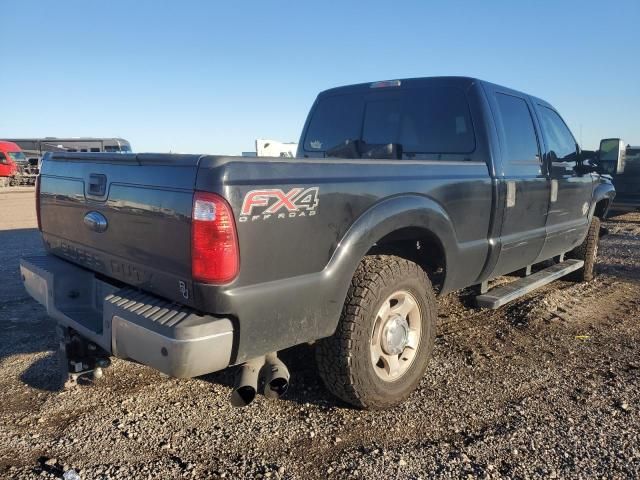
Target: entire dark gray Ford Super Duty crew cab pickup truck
401 190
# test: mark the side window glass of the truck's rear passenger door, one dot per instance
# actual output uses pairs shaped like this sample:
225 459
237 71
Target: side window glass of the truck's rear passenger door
519 136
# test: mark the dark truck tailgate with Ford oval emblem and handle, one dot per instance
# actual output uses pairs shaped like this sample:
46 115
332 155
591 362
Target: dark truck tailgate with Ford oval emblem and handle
125 216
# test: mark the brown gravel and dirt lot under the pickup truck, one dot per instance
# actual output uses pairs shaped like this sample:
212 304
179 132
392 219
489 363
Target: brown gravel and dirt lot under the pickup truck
547 387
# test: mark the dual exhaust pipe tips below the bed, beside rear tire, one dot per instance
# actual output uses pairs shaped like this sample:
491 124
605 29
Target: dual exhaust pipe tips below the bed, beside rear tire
271 369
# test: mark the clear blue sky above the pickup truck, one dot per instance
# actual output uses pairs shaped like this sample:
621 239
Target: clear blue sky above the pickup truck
210 77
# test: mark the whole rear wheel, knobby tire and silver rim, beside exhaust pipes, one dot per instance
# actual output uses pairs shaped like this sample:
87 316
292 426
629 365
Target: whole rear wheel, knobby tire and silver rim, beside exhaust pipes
384 339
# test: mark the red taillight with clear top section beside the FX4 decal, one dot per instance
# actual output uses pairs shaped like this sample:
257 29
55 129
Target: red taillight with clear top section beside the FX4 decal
214 243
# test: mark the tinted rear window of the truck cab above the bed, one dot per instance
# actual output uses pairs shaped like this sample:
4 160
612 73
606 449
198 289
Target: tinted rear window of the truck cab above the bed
418 120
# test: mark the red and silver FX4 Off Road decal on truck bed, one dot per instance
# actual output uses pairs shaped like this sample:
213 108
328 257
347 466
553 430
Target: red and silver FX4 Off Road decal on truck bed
275 203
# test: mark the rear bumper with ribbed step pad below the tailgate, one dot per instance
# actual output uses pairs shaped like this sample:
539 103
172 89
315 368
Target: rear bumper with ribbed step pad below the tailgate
128 323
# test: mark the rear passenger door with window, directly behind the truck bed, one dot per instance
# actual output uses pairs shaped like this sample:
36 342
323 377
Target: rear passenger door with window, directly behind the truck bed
524 185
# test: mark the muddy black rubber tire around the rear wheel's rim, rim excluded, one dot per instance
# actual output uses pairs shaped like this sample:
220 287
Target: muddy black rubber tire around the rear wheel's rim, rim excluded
344 359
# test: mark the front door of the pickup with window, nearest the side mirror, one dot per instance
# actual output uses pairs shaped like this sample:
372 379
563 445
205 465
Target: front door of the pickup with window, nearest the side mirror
571 193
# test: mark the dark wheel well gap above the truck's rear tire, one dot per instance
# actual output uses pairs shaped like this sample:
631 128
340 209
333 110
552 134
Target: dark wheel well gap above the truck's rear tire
416 245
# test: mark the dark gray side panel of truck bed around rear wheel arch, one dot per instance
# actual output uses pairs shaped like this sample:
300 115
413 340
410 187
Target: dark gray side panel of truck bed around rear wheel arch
295 269
